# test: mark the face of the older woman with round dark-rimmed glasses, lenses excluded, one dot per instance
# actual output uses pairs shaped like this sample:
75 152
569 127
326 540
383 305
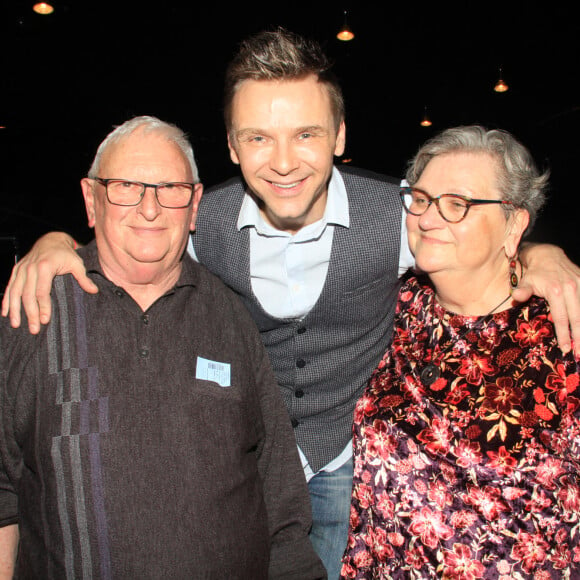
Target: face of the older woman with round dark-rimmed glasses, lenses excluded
481 243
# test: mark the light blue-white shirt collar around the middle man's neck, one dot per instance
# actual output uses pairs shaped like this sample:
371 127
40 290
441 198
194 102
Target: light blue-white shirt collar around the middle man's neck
336 211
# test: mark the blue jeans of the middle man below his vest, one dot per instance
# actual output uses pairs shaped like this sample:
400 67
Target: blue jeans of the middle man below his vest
330 497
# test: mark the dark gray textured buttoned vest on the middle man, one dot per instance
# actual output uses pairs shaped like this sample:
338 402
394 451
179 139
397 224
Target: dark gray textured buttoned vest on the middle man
323 361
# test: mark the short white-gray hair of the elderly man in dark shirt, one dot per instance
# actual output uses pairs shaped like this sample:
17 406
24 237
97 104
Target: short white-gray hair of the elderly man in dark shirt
148 125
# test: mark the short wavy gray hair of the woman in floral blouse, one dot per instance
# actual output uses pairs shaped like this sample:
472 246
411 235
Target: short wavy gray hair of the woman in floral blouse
518 178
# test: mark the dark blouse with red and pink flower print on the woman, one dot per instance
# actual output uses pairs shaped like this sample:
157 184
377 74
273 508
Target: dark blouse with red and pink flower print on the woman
478 474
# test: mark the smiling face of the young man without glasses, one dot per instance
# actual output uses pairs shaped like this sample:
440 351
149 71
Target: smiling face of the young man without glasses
284 138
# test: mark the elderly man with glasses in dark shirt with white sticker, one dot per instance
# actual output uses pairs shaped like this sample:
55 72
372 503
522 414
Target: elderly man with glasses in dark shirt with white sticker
142 431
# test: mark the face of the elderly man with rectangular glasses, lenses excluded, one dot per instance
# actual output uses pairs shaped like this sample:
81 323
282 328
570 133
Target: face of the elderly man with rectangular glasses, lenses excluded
139 240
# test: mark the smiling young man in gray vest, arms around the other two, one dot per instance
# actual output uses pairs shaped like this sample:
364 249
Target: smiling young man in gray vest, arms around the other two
313 250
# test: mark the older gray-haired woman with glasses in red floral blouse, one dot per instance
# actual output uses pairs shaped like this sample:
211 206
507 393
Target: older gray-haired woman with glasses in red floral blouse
467 439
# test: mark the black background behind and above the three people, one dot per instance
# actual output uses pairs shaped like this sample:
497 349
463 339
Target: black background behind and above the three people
68 78
